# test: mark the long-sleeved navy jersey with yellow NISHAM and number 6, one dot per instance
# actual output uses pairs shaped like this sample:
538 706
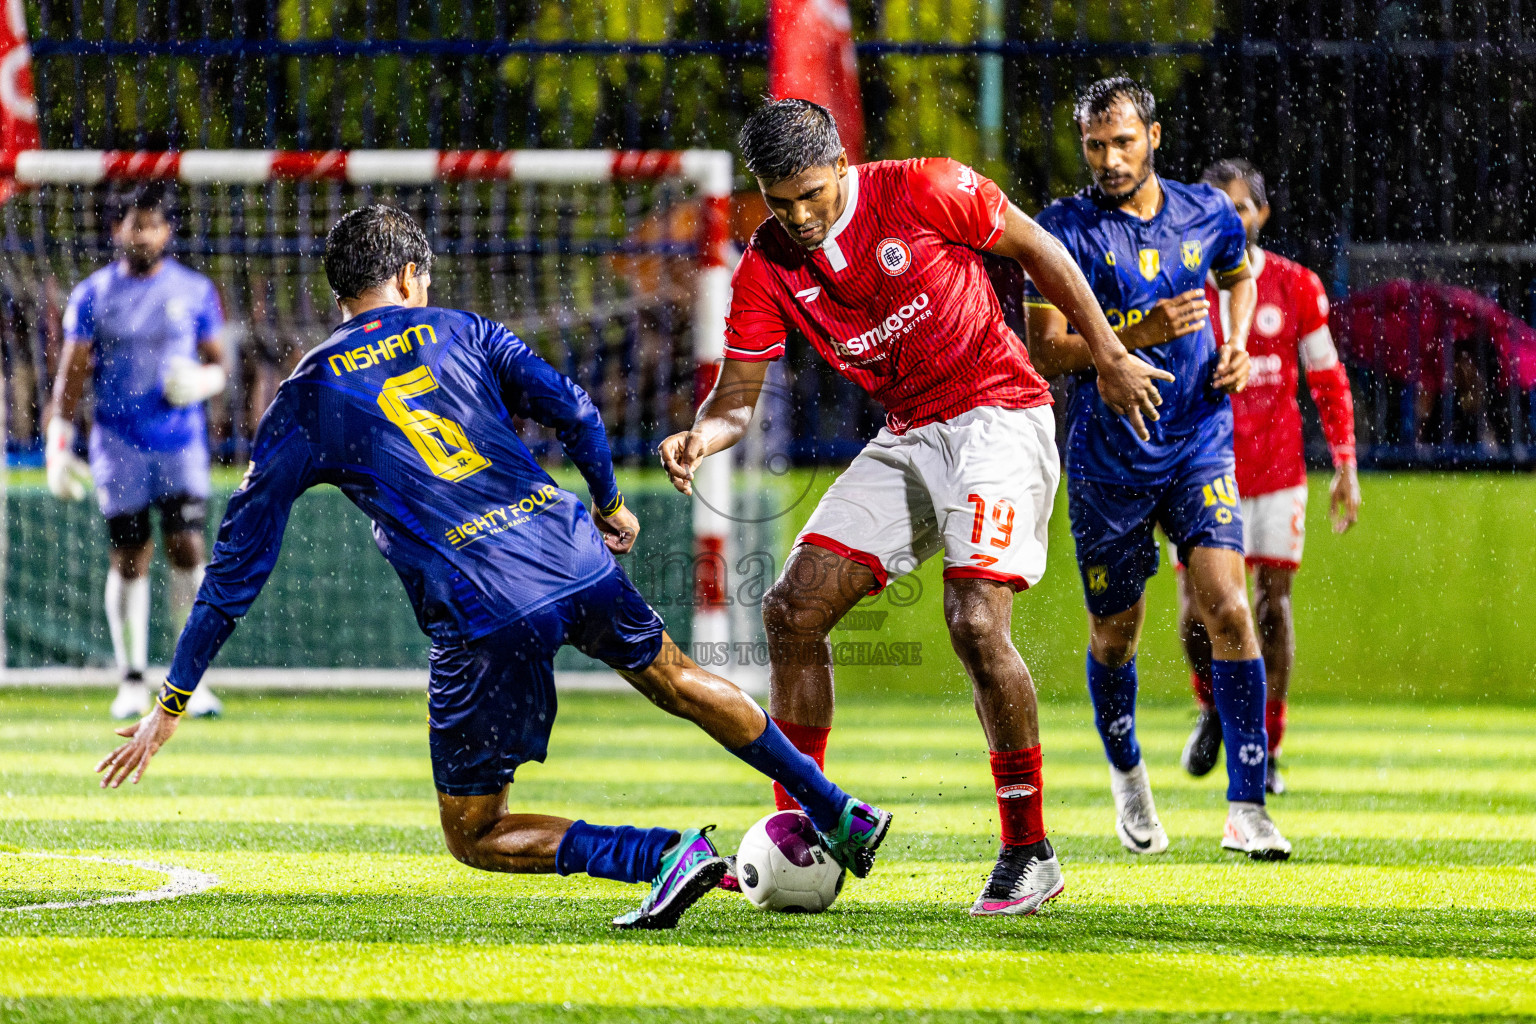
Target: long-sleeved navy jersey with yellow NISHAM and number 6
409 412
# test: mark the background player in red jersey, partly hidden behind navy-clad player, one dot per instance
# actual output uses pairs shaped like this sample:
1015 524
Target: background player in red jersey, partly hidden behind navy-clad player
1289 331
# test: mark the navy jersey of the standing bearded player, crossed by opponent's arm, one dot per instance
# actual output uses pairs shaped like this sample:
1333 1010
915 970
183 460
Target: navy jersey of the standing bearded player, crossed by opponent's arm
1131 265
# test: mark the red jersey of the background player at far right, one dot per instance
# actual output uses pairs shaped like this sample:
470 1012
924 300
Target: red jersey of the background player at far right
1291 325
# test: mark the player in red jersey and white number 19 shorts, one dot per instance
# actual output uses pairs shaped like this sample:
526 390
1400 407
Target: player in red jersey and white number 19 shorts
881 268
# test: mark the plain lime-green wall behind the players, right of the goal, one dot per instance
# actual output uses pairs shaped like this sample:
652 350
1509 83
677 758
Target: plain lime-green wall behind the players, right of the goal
1429 600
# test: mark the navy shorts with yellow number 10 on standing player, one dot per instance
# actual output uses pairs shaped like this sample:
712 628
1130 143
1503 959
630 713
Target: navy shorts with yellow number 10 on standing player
1113 527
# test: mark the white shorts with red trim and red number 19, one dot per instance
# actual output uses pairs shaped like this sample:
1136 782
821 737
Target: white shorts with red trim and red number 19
979 486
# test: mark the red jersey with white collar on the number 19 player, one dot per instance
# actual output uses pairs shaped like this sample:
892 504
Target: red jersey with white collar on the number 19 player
896 299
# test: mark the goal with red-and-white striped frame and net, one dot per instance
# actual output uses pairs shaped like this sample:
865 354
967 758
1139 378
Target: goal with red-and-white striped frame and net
611 265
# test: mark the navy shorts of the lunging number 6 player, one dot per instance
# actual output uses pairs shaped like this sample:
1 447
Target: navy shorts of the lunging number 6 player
492 701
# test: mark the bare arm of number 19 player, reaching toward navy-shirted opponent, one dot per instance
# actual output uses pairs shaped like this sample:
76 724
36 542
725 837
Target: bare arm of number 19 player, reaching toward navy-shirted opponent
1127 383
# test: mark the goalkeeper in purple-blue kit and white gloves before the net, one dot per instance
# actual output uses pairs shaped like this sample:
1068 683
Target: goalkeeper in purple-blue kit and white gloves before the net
147 332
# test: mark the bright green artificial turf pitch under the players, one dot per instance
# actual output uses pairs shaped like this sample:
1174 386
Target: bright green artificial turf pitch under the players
1411 896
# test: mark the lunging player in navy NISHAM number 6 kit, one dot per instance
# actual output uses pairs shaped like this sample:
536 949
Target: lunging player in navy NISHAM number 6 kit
409 411
